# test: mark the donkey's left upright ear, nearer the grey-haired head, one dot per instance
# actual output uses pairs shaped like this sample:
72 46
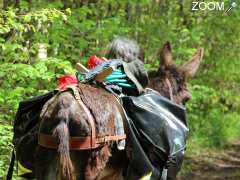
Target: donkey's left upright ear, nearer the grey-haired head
166 54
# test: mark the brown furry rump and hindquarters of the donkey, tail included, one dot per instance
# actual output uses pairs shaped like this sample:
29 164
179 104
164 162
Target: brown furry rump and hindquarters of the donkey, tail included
64 119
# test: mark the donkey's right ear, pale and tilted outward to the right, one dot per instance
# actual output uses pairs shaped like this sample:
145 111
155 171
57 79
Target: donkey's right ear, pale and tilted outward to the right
190 68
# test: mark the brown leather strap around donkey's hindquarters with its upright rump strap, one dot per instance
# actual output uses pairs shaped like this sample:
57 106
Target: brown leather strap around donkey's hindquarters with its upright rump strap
79 143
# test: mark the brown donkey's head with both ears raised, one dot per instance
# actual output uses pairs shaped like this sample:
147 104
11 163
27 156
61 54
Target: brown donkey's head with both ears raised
170 80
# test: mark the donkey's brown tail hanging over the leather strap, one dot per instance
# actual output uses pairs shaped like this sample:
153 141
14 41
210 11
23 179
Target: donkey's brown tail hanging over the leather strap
65 167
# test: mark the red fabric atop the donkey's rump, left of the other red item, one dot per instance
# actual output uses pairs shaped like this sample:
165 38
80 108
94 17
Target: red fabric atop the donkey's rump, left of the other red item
65 80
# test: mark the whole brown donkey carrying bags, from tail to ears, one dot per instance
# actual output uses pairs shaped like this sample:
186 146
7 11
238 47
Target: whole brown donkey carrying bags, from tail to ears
63 117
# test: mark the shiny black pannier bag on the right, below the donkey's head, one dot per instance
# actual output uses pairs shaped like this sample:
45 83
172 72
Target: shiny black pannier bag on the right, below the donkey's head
156 136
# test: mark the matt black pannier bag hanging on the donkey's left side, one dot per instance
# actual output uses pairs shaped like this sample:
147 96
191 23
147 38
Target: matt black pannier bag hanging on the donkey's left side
25 134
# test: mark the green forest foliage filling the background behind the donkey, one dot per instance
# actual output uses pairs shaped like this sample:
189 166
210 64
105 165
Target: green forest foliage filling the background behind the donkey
77 29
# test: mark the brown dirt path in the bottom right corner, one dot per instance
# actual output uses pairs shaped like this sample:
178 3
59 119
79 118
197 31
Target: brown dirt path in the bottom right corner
223 165
